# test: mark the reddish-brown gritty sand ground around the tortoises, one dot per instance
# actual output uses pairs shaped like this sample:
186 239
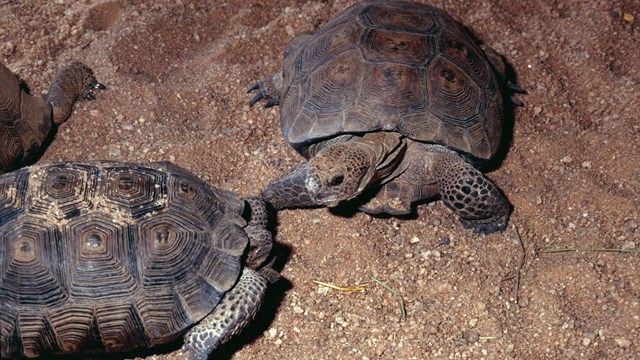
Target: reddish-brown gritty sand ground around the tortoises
176 74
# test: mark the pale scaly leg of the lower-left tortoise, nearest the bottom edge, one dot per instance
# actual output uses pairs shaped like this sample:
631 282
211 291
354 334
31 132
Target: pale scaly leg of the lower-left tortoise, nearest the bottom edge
236 309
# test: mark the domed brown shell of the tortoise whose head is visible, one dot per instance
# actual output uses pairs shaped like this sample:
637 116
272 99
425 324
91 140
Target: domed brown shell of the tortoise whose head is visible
392 66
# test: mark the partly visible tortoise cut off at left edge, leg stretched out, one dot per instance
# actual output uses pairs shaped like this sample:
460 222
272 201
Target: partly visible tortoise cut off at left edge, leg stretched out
26 121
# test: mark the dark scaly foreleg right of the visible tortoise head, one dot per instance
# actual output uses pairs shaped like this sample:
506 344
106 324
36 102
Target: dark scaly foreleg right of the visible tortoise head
468 192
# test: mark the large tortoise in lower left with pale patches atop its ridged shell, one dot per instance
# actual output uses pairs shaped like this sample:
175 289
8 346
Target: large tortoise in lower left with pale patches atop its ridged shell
105 257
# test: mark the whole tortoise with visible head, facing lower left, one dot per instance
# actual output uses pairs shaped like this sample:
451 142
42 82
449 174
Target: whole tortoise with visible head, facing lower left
395 100
